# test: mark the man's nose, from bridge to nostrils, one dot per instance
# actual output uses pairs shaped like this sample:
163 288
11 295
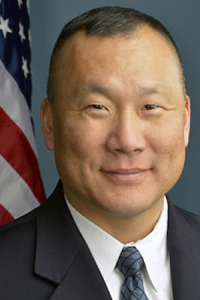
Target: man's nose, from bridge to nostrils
127 134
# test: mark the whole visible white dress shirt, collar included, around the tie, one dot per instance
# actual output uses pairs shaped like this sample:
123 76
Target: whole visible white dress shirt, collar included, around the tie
106 250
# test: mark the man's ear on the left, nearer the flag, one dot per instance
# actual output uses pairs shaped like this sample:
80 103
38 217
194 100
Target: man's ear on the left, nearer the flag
46 115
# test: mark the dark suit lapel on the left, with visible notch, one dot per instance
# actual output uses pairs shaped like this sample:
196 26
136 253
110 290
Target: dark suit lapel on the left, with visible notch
62 255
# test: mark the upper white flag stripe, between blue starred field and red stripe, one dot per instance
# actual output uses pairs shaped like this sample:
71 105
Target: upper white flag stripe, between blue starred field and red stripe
14 104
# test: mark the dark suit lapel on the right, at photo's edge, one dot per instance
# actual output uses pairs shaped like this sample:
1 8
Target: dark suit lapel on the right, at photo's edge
184 247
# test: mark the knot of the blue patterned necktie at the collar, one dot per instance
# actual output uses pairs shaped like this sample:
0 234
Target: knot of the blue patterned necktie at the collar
130 262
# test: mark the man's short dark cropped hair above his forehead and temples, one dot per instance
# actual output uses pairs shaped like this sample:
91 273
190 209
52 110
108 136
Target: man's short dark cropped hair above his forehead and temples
107 21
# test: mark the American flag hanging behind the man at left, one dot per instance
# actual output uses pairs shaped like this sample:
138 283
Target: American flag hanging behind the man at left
21 188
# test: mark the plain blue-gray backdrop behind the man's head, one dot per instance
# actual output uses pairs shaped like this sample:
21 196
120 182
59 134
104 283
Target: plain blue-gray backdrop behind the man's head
181 17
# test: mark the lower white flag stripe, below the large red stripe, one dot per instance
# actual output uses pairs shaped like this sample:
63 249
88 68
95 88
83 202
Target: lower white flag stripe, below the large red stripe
15 194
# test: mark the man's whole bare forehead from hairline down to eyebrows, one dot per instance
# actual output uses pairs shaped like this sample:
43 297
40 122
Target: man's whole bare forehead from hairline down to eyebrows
86 57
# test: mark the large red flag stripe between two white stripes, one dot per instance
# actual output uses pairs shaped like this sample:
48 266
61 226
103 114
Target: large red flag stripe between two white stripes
15 148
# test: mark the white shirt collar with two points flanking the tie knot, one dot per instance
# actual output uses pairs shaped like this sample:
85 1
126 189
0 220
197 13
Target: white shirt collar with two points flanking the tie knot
106 249
